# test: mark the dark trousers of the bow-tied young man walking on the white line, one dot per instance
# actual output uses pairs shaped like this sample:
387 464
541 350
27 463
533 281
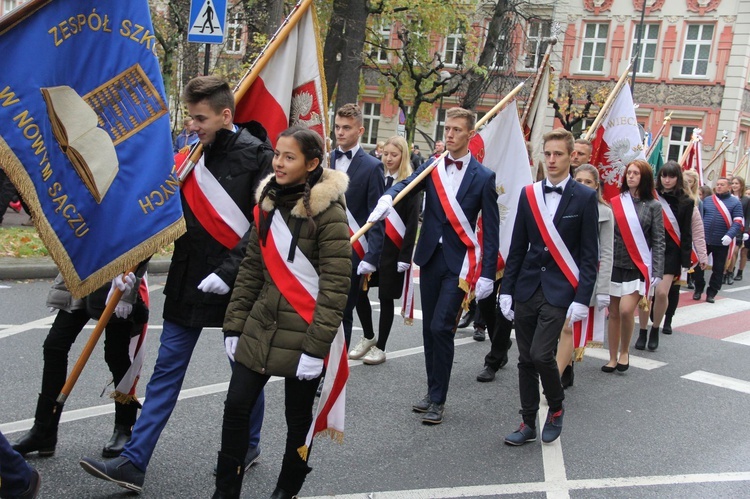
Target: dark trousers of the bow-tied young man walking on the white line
538 326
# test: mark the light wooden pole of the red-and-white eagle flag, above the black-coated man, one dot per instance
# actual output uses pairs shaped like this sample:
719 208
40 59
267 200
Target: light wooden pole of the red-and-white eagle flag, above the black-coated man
252 74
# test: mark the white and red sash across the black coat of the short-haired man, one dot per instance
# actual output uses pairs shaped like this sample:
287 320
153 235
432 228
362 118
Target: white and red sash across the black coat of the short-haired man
215 210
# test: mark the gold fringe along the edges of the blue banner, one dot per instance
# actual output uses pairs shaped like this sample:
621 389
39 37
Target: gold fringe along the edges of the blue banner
79 288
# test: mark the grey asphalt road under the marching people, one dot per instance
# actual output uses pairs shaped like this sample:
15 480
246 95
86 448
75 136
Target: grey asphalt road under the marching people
674 425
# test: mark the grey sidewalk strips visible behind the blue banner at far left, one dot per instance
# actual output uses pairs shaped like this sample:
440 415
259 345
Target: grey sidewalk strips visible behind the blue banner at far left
44 267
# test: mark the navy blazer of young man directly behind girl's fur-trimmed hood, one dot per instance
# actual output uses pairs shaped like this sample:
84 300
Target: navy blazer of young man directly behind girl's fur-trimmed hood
366 185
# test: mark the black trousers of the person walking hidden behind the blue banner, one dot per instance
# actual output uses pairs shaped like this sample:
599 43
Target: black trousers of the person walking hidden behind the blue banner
62 334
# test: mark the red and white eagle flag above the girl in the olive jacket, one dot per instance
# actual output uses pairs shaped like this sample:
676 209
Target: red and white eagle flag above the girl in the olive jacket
290 89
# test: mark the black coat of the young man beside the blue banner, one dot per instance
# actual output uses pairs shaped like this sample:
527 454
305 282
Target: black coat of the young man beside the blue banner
238 161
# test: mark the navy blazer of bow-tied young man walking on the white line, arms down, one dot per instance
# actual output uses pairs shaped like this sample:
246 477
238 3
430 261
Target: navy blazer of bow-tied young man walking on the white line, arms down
530 264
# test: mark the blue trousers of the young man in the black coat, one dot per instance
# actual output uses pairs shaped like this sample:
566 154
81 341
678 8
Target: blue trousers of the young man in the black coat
175 351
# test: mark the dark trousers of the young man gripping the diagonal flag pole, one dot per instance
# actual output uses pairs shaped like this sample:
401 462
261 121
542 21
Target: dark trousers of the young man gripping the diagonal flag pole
441 306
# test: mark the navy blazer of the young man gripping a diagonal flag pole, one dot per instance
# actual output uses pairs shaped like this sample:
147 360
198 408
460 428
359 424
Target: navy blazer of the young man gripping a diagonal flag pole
476 193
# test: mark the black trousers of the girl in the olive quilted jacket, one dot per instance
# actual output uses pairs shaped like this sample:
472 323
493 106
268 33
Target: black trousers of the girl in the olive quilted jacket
299 395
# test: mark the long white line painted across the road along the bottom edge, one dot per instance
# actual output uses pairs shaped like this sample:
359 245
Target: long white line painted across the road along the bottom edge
548 487
